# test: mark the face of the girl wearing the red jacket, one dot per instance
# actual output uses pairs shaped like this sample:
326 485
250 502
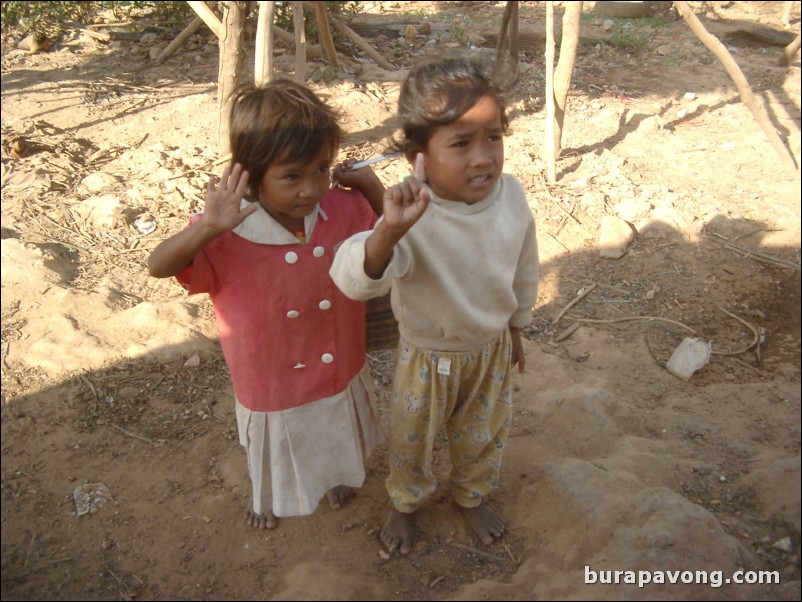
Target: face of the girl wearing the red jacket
291 191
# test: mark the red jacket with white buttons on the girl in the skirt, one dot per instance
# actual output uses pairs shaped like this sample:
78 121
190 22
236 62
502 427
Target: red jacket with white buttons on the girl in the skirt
289 336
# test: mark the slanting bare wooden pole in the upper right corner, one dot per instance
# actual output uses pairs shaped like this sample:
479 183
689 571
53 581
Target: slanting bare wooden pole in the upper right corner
748 98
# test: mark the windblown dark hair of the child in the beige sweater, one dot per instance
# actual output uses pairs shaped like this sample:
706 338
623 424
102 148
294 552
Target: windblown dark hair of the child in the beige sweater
439 91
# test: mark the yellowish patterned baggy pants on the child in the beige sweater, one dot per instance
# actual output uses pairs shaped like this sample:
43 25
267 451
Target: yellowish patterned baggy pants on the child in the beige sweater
468 392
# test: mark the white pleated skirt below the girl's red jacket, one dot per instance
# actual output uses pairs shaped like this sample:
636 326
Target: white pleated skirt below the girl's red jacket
295 456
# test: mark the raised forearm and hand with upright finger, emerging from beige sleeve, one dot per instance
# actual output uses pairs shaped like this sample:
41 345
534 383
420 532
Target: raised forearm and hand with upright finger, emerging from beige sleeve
404 204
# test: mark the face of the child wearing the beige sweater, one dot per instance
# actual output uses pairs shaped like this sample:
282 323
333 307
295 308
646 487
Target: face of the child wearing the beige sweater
465 158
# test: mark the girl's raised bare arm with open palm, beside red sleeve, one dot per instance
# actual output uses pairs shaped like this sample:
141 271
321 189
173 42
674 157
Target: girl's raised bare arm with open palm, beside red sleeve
221 213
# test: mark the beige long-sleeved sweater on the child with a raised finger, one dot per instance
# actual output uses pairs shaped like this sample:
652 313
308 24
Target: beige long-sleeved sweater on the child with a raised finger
460 275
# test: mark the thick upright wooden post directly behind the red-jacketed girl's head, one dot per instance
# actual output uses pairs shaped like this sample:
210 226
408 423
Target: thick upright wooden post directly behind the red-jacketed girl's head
231 60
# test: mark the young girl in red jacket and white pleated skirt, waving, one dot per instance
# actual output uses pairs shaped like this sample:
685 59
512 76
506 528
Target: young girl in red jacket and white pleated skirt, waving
293 343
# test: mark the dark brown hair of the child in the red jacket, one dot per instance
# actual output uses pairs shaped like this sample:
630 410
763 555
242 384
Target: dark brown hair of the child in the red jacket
279 121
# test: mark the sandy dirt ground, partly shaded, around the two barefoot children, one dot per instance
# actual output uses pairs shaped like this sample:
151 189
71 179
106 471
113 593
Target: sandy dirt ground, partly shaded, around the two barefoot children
122 476
